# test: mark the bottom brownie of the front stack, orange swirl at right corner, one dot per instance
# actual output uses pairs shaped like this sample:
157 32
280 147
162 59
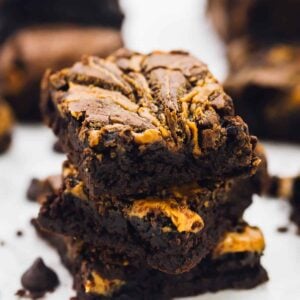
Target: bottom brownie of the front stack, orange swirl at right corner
233 264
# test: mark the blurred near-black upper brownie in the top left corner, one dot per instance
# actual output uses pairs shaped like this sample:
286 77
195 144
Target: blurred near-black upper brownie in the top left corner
17 14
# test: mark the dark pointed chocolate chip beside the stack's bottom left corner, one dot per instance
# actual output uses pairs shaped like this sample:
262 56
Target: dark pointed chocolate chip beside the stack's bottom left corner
39 279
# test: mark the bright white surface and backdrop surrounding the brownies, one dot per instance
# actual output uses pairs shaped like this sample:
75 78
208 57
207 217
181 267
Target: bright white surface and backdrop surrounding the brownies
150 24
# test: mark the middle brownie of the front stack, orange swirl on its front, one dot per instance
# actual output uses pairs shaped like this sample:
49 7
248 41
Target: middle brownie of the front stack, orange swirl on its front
170 231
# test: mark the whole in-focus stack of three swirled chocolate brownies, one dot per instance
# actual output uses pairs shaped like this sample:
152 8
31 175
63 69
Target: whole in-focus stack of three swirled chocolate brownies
159 173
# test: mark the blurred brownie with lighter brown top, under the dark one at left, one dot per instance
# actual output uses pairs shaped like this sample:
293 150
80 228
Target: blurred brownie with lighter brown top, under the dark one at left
23 59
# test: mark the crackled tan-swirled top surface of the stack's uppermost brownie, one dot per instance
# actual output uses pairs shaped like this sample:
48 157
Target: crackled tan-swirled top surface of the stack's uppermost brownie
168 98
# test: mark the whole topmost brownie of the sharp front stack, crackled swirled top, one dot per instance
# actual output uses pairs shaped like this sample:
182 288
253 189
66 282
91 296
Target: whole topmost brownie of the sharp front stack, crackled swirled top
135 123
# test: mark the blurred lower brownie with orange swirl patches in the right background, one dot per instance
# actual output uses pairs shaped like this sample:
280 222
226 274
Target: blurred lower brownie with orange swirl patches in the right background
264 84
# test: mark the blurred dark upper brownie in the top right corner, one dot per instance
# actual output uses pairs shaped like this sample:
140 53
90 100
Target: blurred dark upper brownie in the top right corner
262 20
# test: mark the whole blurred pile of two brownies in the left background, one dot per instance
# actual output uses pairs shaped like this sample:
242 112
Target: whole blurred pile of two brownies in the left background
36 35
